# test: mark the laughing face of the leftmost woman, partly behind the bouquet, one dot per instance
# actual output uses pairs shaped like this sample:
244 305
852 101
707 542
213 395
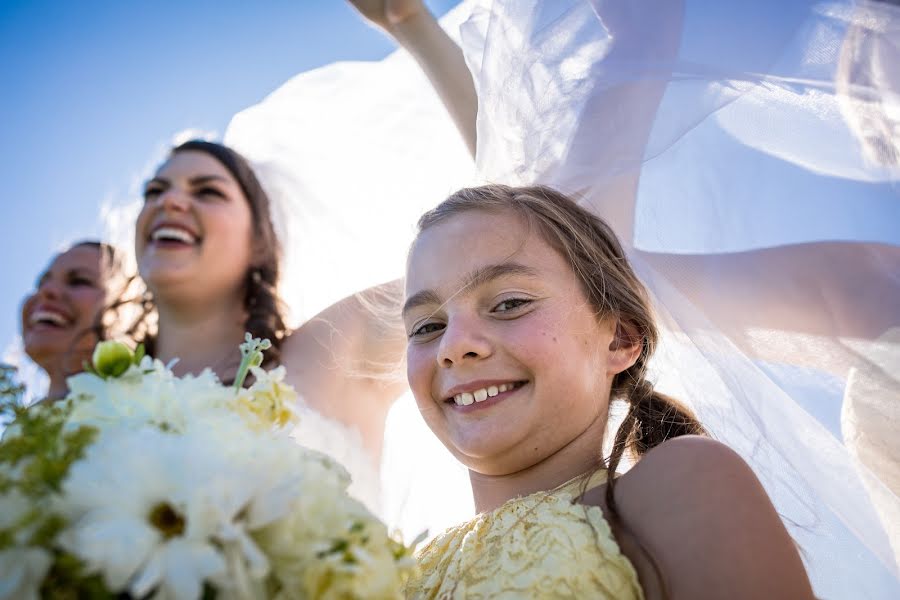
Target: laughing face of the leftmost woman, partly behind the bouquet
69 296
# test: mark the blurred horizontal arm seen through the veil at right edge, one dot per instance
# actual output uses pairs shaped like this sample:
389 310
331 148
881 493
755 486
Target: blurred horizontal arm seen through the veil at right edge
803 292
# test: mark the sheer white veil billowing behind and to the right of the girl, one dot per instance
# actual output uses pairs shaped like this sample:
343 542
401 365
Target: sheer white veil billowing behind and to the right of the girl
748 155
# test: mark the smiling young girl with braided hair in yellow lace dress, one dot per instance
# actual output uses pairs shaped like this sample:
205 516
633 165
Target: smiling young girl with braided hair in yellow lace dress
525 320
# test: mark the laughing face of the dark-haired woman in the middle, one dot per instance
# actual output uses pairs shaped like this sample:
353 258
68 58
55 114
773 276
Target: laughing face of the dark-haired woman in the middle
195 229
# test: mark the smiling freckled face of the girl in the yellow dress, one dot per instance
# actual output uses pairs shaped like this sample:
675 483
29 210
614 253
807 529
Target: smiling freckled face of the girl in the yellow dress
506 358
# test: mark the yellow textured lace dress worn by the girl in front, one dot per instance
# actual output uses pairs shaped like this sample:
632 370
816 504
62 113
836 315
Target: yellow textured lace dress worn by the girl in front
545 545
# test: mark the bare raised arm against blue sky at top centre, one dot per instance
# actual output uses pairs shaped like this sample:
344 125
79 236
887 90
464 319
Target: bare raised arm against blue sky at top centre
411 24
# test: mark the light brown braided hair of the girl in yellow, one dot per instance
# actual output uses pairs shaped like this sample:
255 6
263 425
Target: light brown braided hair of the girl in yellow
593 251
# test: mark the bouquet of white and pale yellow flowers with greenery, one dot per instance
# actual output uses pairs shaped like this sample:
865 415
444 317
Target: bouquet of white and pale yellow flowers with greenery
143 484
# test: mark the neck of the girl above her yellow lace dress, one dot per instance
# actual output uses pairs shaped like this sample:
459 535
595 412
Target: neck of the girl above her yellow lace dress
578 457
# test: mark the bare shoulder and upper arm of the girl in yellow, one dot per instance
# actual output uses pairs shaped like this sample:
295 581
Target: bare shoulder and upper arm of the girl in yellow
693 512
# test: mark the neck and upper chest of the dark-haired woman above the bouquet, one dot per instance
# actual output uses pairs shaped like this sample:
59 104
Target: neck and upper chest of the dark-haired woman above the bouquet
201 336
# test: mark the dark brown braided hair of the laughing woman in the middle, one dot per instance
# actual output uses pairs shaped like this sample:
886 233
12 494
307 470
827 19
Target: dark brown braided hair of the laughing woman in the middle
264 307
